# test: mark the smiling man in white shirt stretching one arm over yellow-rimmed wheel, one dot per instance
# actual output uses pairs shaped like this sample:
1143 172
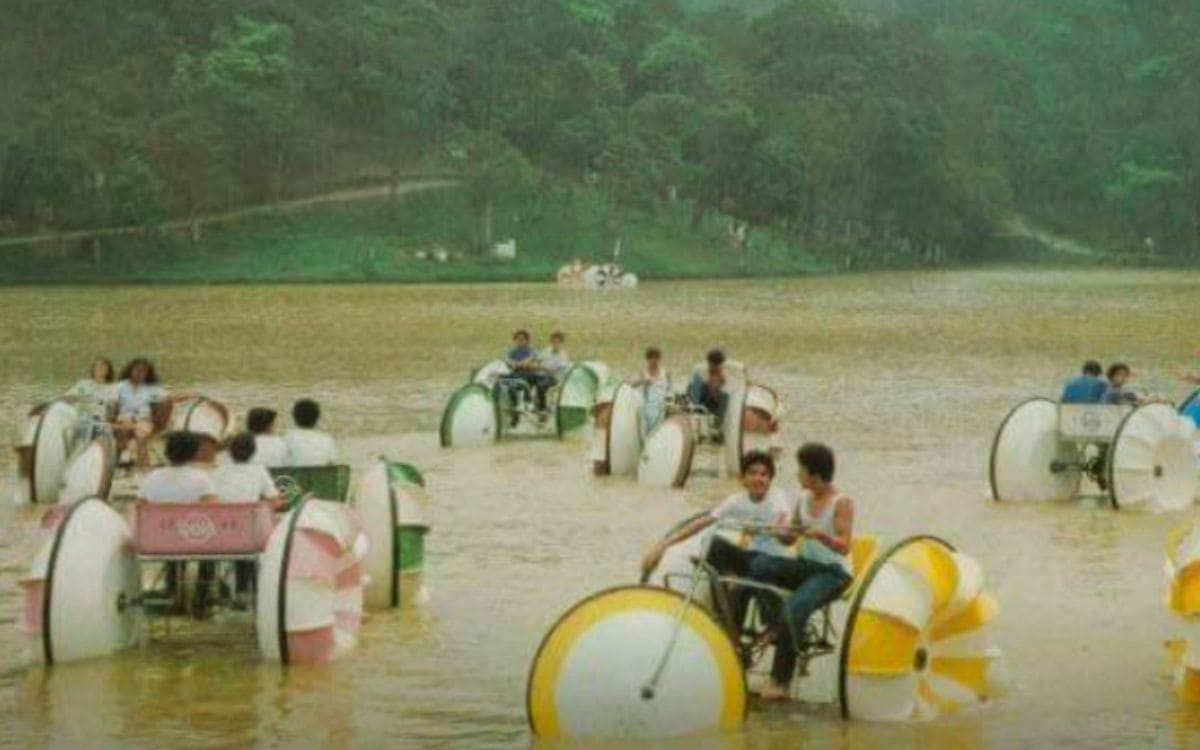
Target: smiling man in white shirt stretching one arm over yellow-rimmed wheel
759 509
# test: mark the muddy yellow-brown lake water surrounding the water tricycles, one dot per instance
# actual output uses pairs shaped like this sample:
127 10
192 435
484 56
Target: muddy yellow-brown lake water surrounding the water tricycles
907 375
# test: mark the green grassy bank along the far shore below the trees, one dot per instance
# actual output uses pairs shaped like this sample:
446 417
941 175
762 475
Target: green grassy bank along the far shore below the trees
382 241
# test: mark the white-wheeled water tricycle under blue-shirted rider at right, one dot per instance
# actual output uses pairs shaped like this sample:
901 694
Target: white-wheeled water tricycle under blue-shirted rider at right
1141 457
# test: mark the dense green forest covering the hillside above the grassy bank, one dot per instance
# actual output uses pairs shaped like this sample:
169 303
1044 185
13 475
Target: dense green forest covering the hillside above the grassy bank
916 128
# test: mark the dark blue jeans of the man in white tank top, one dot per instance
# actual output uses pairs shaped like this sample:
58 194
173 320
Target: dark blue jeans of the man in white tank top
815 586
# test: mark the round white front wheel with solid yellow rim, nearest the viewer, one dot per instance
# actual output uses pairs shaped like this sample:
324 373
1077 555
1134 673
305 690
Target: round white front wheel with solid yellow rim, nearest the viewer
635 663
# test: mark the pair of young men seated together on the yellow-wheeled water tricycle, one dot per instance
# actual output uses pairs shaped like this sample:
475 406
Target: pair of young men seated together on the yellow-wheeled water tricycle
817 571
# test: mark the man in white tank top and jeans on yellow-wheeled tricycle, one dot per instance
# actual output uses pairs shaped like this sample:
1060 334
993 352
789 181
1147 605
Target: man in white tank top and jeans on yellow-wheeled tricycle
821 573
